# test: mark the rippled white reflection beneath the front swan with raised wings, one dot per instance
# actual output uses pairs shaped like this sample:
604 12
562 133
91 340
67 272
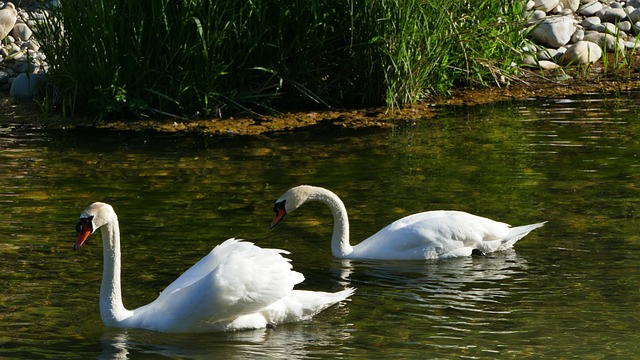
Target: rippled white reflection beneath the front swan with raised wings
290 341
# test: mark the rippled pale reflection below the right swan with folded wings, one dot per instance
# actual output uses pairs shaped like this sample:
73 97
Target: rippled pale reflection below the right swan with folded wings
460 287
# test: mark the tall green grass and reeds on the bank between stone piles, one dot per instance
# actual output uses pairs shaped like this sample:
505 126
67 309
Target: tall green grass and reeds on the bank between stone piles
206 58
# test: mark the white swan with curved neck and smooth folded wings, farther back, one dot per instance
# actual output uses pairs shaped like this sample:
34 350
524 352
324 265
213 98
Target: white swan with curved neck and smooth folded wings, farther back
427 235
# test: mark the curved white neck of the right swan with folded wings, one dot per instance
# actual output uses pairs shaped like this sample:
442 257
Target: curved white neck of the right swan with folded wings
340 246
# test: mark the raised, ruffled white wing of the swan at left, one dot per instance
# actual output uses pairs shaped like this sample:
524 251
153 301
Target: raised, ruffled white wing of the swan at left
236 278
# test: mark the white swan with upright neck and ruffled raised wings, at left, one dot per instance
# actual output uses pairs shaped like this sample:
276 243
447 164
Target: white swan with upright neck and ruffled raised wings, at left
236 286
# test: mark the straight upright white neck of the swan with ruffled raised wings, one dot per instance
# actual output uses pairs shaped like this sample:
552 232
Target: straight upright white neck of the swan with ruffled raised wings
112 309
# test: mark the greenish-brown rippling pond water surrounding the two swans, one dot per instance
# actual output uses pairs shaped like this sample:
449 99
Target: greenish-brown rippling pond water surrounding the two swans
568 290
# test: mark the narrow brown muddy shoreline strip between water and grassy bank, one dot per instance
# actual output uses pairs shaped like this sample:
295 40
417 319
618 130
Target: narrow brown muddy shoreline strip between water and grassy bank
531 84
